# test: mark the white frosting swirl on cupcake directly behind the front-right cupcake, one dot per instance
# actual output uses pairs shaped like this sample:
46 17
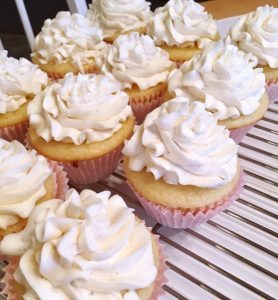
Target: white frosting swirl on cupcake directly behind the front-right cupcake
224 78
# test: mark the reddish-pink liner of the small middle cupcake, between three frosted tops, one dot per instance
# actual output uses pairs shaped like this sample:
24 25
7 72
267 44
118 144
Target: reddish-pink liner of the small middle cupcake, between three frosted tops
146 104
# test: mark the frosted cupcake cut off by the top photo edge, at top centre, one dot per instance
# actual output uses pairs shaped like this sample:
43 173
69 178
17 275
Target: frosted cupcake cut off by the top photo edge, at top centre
119 17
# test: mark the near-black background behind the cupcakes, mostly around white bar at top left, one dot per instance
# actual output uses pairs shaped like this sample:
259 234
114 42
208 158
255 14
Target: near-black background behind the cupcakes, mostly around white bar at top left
12 32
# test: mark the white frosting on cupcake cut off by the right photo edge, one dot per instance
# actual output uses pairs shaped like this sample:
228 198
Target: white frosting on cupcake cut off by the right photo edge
257 33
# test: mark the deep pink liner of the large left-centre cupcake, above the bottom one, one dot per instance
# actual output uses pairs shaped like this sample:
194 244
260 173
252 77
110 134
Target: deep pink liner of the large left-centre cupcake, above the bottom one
90 171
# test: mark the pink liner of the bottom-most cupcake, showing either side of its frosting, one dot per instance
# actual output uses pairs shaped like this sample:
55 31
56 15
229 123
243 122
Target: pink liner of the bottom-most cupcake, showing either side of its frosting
10 292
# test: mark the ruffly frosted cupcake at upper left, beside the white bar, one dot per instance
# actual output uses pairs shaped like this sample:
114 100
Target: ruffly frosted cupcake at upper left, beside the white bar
68 43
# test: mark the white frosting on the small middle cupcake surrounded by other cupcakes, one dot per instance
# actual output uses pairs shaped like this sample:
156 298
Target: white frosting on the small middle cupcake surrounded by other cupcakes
134 59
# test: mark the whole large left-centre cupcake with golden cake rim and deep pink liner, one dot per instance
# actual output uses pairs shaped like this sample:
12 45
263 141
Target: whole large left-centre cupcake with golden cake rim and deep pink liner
81 122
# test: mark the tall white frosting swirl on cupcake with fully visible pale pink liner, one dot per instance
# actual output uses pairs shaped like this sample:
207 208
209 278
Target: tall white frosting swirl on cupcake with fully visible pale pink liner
182 143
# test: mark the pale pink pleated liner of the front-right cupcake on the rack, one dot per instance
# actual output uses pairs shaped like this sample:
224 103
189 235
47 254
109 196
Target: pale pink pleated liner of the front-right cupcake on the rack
176 218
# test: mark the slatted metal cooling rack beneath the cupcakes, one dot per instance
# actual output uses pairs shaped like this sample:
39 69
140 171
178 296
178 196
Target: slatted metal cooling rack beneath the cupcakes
235 254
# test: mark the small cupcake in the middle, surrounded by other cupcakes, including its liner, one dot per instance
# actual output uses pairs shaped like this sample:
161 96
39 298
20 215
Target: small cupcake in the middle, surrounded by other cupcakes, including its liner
142 68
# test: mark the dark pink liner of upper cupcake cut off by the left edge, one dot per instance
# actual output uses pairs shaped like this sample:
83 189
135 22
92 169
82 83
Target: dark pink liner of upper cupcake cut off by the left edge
15 132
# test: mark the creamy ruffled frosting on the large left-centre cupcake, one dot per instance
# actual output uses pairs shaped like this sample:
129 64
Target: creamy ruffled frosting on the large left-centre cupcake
79 109
